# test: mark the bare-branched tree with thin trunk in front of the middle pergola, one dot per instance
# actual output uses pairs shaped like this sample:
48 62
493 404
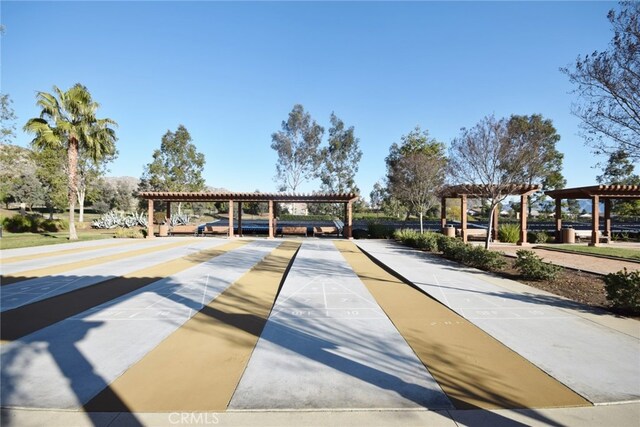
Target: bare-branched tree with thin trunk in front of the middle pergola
487 163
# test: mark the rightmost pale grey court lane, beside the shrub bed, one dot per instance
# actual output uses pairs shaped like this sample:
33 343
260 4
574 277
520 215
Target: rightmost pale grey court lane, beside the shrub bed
600 363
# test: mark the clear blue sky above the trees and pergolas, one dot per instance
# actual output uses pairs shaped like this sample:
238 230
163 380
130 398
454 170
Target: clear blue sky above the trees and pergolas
231 72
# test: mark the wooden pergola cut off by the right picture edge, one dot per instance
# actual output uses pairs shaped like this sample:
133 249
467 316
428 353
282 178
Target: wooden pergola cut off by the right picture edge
595 193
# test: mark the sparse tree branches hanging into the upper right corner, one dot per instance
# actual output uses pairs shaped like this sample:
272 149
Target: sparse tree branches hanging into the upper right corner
608 84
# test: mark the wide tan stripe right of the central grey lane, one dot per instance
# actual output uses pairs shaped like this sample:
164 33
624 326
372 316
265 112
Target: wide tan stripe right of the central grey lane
474 369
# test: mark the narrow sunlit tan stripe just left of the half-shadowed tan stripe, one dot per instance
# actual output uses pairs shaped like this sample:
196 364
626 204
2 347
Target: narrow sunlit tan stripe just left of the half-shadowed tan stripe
10 279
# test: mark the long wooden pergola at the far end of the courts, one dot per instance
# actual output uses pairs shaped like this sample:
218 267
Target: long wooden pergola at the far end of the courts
270 198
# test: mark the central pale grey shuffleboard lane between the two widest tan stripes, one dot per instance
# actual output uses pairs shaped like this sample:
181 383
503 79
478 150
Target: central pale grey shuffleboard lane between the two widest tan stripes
327 344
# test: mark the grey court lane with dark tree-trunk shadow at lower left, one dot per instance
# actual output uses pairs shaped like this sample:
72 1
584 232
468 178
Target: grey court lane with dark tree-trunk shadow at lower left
66 364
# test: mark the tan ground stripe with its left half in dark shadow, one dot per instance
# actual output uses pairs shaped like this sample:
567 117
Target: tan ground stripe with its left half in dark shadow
29 318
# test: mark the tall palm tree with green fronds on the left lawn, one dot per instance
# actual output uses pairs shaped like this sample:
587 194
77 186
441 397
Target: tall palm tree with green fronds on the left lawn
68 121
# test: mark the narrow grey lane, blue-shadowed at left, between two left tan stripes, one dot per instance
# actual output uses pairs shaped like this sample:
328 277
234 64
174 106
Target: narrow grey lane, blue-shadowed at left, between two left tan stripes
33 290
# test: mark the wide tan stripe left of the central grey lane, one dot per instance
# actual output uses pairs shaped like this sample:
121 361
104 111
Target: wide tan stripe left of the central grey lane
199 366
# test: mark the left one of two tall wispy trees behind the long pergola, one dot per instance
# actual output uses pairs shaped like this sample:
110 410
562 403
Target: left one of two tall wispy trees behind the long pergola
297 147
